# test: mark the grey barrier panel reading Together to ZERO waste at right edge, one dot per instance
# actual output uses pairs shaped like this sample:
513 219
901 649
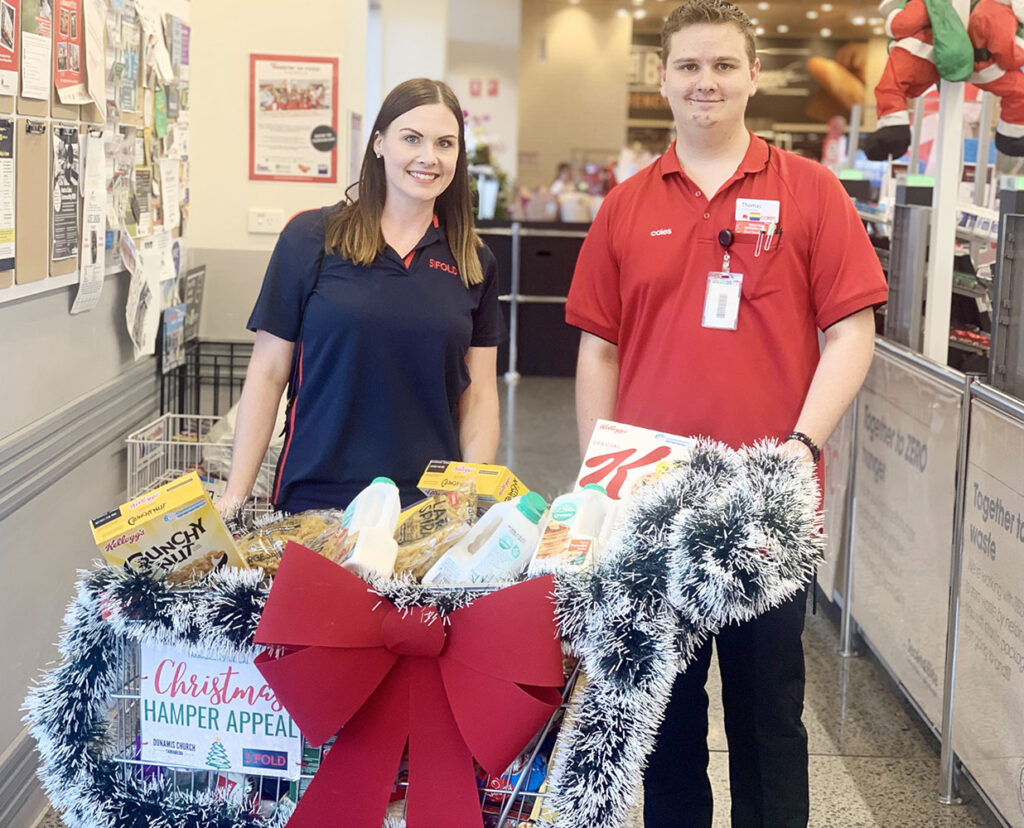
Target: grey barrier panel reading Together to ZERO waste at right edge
989 701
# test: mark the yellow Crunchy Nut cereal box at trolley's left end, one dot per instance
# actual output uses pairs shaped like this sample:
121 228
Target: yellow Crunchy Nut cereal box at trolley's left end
175 530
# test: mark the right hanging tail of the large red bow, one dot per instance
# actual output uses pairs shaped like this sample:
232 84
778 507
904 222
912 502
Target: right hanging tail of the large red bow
443 780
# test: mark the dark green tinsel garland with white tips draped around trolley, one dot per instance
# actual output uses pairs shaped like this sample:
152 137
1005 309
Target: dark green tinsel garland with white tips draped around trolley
719 540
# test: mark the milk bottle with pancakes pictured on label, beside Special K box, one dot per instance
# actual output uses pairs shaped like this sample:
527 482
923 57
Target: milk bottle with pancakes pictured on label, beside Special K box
578 527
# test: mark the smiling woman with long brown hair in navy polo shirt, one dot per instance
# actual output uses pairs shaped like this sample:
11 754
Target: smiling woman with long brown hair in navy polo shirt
381 318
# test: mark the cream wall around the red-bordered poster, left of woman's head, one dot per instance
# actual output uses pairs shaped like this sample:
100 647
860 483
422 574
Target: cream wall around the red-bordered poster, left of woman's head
224 35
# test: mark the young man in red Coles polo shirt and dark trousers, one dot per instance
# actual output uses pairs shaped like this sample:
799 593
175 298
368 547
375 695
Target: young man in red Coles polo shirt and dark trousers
701 290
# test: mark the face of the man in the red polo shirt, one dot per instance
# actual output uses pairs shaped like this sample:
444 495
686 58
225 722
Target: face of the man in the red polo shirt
708 77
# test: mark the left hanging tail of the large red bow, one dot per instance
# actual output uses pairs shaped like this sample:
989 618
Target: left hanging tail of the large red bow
354 785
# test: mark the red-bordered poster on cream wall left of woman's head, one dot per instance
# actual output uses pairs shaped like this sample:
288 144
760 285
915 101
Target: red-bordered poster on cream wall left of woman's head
293 119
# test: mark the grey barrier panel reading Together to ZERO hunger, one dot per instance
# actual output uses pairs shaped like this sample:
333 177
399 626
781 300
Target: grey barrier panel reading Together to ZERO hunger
909 428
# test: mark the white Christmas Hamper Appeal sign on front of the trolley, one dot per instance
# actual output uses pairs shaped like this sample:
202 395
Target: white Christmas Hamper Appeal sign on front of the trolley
202 713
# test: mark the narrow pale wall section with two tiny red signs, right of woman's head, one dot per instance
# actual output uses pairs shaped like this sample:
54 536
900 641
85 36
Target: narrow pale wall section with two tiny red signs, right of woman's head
484 46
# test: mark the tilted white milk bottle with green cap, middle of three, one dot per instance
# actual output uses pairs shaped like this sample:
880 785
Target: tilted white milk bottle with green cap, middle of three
499 547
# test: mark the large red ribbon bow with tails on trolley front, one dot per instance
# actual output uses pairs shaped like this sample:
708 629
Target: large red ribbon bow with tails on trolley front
481 685
